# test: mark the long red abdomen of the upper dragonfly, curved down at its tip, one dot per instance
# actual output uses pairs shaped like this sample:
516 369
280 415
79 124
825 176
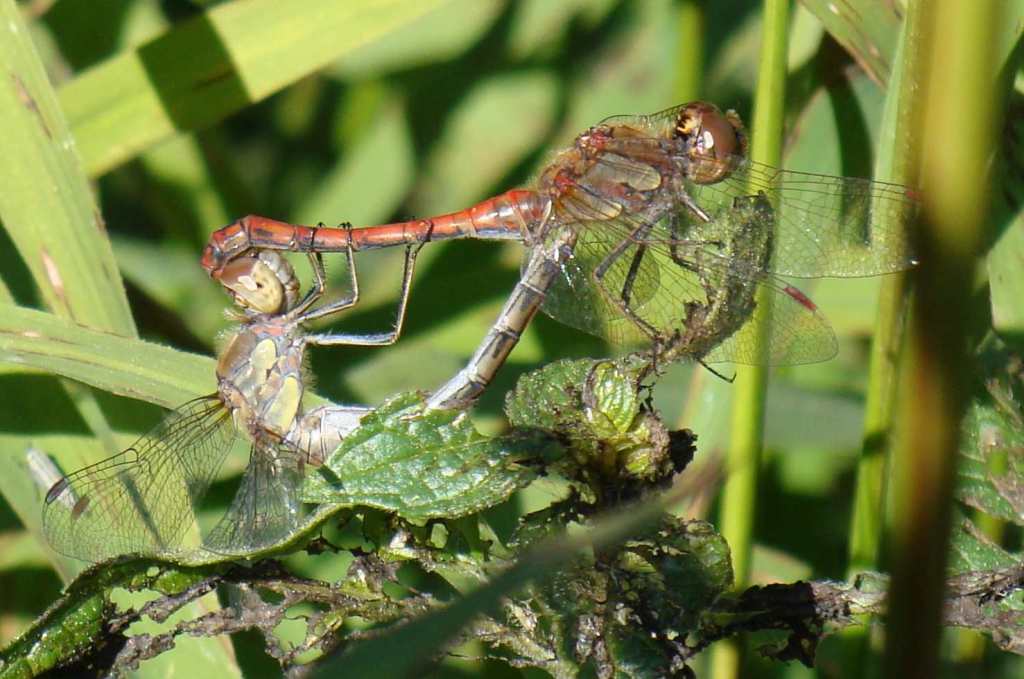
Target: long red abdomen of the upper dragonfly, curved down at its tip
513 216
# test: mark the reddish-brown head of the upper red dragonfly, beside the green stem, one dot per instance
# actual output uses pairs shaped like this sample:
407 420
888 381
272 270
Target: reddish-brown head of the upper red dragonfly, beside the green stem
714 142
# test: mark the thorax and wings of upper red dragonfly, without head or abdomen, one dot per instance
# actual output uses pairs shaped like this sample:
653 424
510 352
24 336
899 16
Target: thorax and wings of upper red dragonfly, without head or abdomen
660 258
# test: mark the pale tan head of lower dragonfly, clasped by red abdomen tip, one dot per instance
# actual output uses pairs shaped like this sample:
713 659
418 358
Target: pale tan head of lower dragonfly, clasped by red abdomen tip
264 283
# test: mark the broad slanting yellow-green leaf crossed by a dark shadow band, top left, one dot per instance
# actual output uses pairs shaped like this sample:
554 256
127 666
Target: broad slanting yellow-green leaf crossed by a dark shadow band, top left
215 65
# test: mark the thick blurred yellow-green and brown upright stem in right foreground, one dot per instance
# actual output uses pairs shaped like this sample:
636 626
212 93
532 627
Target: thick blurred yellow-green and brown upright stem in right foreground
958 41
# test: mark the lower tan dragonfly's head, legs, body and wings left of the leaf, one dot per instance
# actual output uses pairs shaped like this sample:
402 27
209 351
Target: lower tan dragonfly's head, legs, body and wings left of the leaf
149 499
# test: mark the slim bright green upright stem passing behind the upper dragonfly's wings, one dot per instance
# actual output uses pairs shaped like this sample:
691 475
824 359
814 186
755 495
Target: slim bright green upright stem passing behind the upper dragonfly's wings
740 495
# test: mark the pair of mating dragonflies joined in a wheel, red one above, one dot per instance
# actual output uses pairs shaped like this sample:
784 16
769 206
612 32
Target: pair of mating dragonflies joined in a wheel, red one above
649 230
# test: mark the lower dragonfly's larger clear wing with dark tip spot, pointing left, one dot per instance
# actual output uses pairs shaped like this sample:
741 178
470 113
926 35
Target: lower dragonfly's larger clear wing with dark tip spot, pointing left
143 499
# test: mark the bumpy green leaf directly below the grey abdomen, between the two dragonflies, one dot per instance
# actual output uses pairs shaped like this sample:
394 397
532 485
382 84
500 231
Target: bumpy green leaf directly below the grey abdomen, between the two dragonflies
422 464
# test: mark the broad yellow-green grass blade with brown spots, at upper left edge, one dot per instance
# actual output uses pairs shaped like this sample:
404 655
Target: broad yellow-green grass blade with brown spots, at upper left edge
47 205
